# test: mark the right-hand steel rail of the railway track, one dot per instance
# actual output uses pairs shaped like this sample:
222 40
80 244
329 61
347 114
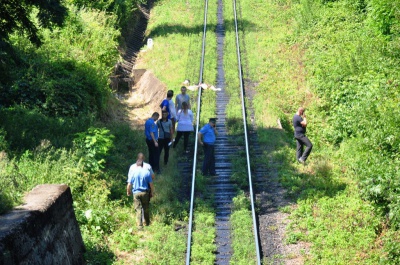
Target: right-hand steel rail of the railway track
246 138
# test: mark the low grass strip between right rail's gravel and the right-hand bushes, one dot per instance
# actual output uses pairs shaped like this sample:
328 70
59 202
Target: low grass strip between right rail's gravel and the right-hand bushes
329 213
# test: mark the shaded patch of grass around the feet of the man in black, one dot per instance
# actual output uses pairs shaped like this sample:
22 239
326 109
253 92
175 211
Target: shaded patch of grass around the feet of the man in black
314 180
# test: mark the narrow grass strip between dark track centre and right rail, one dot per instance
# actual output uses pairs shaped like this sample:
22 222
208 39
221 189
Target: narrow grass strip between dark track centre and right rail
243 246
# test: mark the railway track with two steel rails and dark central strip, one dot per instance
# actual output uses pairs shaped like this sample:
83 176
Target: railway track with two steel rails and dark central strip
222 189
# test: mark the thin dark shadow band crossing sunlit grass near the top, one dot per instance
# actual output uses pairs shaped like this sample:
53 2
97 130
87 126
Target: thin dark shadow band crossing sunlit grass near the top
170 28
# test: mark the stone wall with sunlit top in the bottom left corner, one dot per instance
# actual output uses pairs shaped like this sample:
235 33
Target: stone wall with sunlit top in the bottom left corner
43 230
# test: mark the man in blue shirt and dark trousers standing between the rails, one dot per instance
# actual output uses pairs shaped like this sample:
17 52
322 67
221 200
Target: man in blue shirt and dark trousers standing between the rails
206 138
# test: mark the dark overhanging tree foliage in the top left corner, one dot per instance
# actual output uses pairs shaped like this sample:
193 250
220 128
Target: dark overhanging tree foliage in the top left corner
15 15
